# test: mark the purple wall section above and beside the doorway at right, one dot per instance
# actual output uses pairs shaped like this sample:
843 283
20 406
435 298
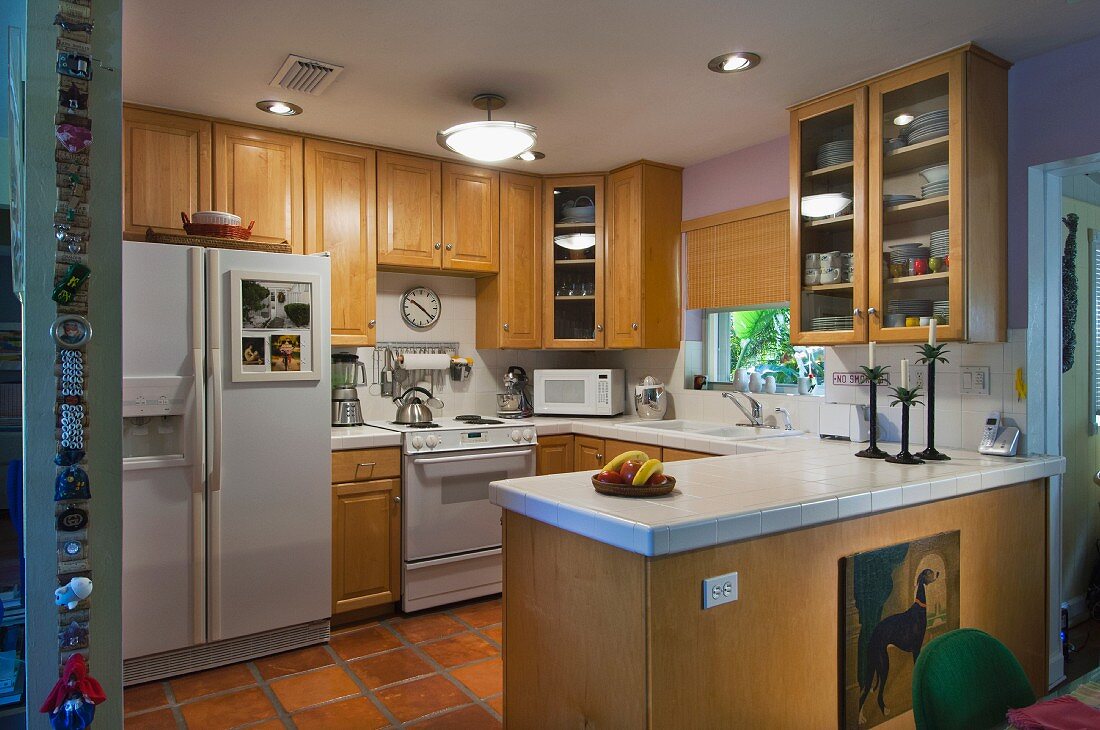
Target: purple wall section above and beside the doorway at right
1054 115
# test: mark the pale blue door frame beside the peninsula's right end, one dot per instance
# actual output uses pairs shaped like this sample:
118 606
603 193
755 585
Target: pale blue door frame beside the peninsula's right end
1046 240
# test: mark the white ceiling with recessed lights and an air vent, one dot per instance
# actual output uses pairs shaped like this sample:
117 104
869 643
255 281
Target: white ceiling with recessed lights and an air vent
607 82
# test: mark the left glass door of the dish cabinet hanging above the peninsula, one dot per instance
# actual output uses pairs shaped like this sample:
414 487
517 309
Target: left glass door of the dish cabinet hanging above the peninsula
829 220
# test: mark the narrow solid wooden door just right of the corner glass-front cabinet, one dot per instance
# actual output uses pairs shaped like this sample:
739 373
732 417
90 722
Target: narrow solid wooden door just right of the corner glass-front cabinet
625 273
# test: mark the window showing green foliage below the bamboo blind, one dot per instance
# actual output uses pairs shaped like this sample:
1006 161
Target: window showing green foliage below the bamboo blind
758 340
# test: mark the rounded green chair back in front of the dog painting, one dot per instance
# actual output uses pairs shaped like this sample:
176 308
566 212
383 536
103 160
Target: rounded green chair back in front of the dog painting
967 680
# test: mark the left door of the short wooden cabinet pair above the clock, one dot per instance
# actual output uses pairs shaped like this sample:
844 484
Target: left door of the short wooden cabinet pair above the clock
410 213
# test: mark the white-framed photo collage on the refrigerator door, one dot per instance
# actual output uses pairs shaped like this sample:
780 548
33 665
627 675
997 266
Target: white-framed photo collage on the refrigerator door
272 336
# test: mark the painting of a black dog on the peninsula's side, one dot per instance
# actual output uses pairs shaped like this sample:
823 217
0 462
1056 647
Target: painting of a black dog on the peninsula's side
896 601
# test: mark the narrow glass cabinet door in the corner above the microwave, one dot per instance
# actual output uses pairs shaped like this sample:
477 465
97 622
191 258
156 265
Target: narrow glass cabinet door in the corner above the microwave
574 247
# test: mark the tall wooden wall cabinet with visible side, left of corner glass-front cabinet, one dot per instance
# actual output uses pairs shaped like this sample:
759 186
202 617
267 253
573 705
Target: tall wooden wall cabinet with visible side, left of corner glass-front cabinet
510 305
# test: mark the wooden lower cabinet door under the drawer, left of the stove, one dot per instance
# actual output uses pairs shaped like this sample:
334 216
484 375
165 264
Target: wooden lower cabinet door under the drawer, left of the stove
367 549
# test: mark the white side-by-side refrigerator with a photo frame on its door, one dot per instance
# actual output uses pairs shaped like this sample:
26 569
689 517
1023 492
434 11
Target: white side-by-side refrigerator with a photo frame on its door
227 505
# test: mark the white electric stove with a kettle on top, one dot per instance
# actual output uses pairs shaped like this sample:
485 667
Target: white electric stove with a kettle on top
452 536
